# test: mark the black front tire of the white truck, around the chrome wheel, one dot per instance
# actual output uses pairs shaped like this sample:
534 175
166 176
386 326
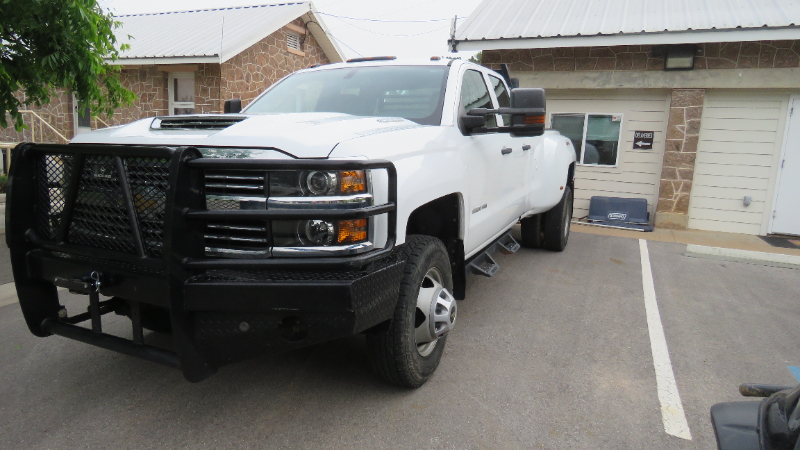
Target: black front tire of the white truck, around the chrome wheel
393 353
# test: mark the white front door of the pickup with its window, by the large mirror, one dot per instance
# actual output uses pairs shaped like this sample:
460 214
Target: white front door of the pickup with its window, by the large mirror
489 161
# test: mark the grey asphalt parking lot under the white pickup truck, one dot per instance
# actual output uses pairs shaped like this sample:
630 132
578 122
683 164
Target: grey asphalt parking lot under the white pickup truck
551 352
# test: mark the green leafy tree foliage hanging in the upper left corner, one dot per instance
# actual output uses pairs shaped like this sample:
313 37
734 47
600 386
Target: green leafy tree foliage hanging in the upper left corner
51 44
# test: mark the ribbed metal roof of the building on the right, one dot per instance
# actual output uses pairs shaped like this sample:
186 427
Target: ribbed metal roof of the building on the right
557 23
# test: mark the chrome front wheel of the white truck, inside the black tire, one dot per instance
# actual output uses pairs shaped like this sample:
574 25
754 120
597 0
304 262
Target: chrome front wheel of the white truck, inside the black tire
435 314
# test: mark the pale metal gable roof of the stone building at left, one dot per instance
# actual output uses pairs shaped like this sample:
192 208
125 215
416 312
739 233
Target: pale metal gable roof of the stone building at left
211 35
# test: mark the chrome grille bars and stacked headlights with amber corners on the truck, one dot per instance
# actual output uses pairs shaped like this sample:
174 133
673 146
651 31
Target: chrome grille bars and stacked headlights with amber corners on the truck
289 190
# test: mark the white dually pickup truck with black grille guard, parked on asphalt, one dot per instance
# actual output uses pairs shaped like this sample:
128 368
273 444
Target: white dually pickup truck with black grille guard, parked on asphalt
349 198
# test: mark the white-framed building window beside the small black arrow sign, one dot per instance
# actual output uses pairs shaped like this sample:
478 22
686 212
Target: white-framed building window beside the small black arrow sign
595 137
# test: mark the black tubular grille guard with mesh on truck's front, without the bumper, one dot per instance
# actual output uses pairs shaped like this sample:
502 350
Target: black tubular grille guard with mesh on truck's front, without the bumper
166 265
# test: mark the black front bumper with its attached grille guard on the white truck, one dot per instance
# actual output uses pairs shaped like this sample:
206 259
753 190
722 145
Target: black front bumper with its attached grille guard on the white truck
220 310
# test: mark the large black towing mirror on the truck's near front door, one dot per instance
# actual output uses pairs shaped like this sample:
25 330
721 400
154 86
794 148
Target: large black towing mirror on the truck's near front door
527 113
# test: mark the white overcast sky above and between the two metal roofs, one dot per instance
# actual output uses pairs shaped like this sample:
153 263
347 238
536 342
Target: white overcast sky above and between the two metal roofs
372 37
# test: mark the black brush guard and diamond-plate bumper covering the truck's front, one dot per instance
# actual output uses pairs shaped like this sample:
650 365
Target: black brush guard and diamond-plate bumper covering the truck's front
220 310
